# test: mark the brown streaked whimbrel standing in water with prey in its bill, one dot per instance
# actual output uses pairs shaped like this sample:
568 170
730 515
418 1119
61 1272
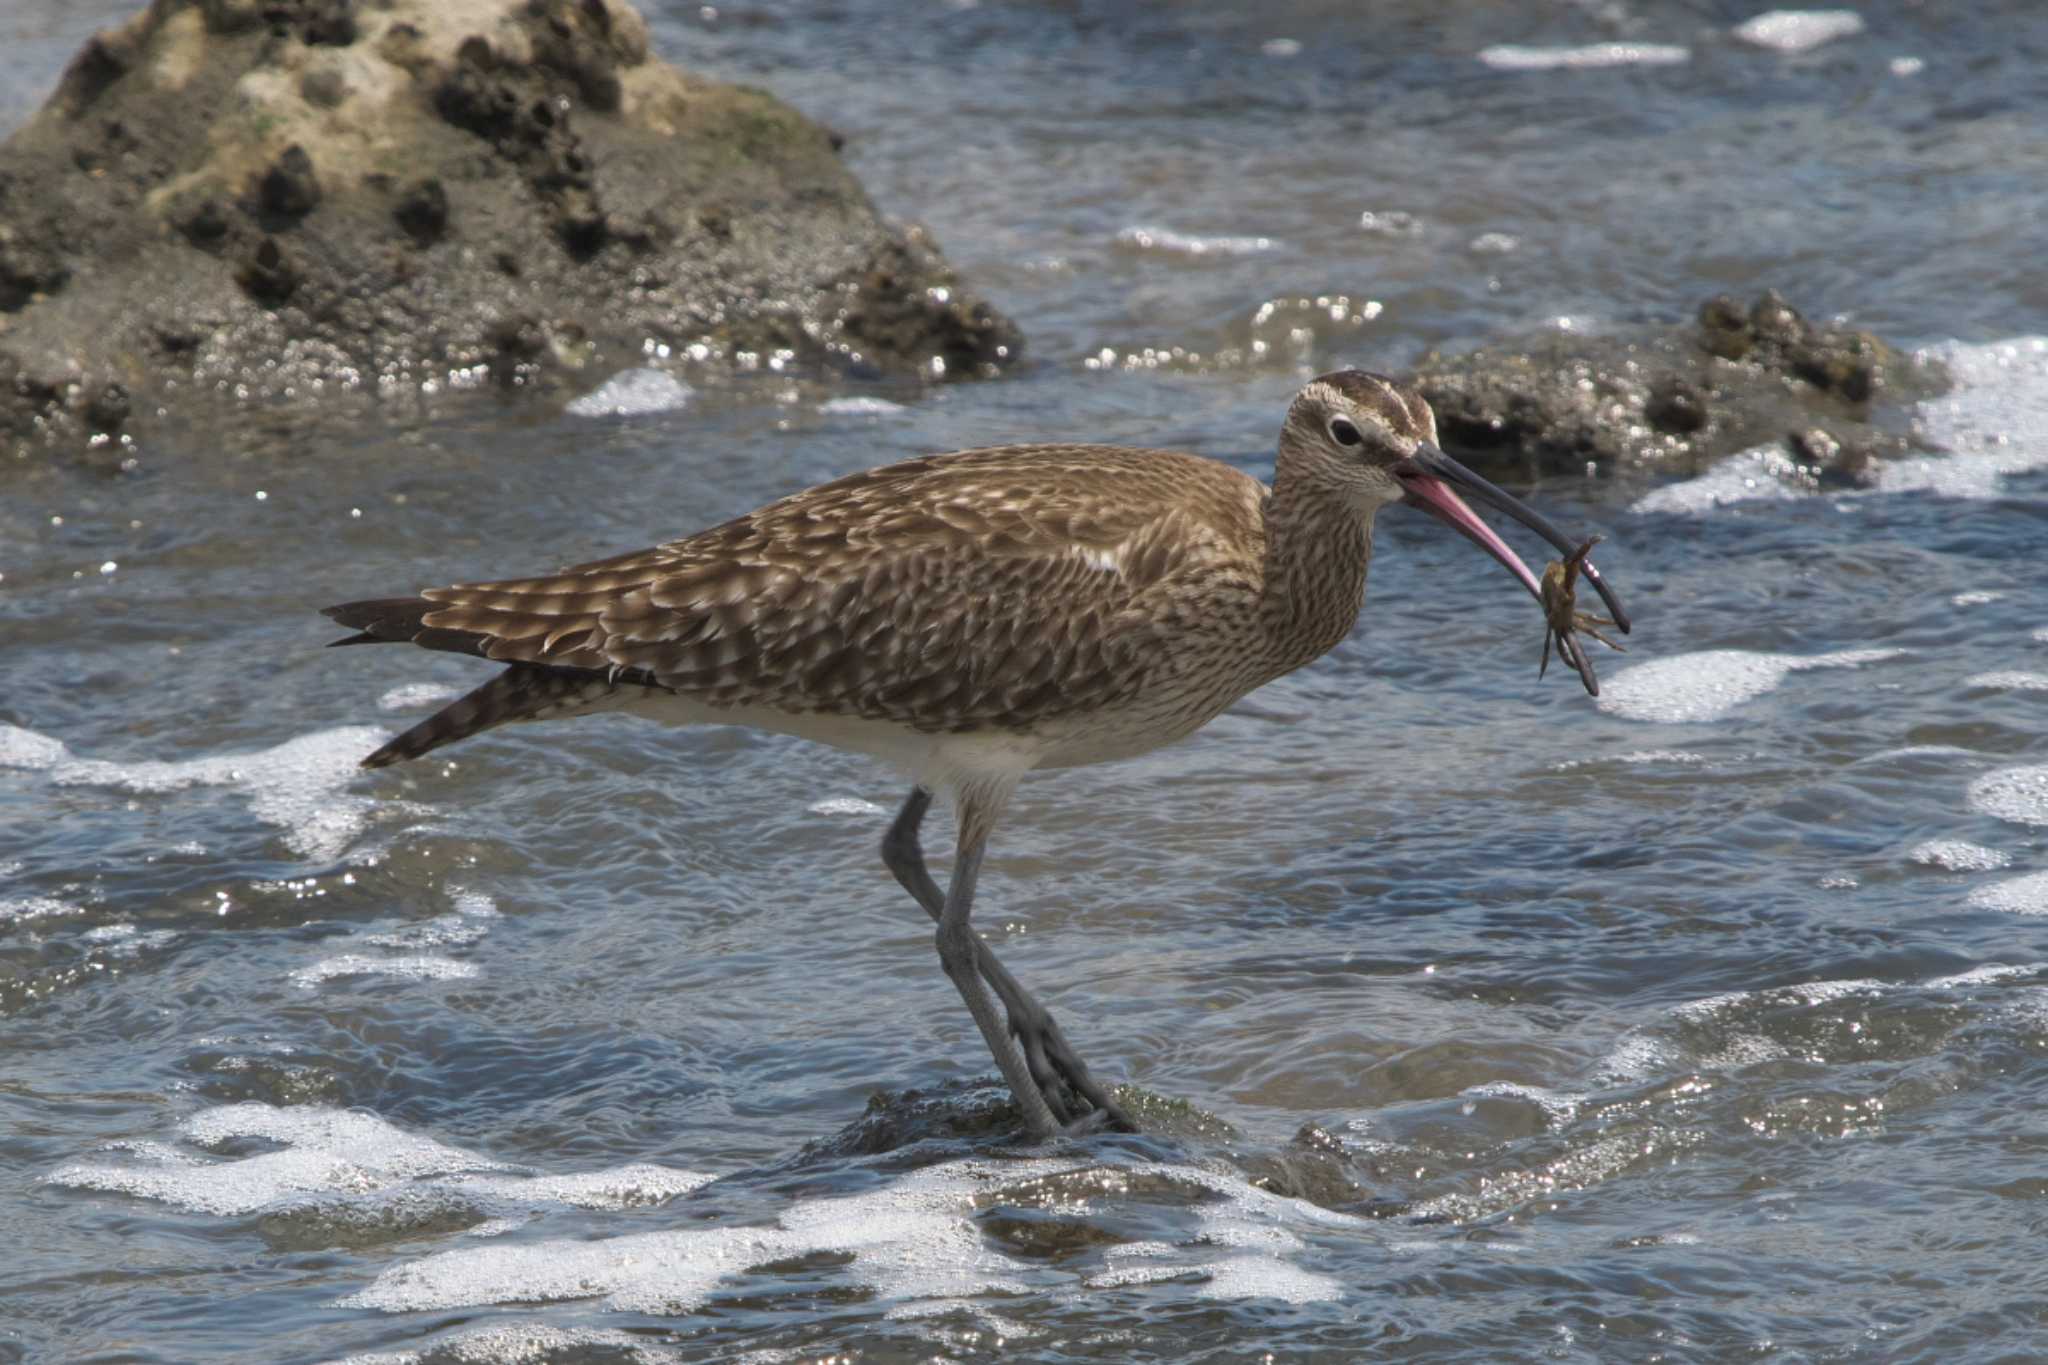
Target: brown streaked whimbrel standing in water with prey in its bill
970 619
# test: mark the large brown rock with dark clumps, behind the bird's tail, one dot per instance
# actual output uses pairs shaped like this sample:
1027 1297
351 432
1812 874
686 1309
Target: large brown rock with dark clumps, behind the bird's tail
296 200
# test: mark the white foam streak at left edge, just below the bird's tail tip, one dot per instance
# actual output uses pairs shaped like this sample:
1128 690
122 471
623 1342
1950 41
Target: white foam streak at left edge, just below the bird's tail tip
296 787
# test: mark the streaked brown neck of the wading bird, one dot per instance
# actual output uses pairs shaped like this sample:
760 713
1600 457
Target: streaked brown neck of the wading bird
1318 549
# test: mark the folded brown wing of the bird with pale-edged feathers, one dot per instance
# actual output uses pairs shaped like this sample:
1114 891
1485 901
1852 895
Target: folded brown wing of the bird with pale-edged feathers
953 592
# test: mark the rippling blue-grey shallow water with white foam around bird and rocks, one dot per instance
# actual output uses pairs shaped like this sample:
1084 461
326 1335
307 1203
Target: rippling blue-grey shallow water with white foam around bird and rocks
1705 1022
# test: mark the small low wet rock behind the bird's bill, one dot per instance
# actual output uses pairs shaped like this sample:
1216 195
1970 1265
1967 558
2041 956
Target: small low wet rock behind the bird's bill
1682 398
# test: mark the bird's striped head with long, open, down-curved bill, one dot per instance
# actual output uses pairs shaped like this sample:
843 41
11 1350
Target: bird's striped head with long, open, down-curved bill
1373 441
